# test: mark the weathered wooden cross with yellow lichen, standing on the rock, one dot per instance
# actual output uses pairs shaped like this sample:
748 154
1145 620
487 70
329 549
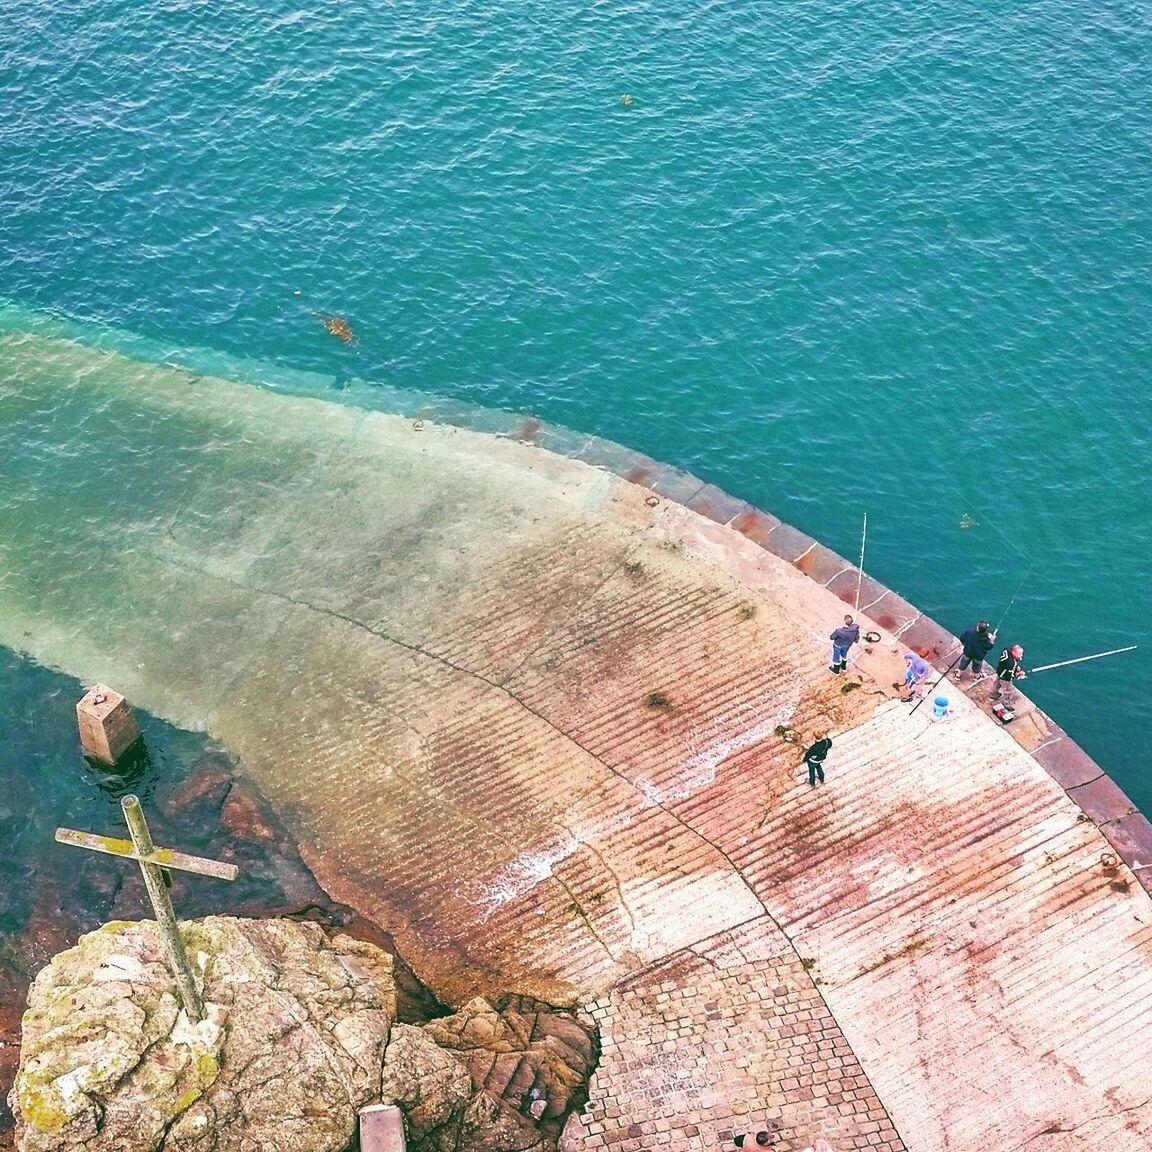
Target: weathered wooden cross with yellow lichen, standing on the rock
155 863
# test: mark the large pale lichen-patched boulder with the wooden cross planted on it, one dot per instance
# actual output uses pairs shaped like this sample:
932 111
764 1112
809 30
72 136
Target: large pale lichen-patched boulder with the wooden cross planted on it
293 1042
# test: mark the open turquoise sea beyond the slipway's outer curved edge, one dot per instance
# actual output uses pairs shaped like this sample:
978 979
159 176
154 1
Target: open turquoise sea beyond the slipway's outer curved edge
836 259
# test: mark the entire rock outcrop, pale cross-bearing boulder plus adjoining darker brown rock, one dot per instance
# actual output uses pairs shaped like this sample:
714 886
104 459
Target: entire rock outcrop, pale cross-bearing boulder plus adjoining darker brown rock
299 1034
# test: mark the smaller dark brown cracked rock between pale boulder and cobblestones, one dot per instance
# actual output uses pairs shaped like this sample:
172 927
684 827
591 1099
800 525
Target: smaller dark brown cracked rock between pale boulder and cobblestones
495 1078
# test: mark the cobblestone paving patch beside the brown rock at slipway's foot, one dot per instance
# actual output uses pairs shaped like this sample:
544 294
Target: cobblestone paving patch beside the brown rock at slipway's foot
727 1037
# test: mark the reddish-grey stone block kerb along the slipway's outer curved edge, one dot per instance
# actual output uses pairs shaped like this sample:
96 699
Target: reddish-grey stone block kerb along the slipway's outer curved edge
1100 798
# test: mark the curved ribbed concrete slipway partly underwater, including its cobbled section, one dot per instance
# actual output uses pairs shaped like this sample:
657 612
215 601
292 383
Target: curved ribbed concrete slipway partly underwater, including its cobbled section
535 711
